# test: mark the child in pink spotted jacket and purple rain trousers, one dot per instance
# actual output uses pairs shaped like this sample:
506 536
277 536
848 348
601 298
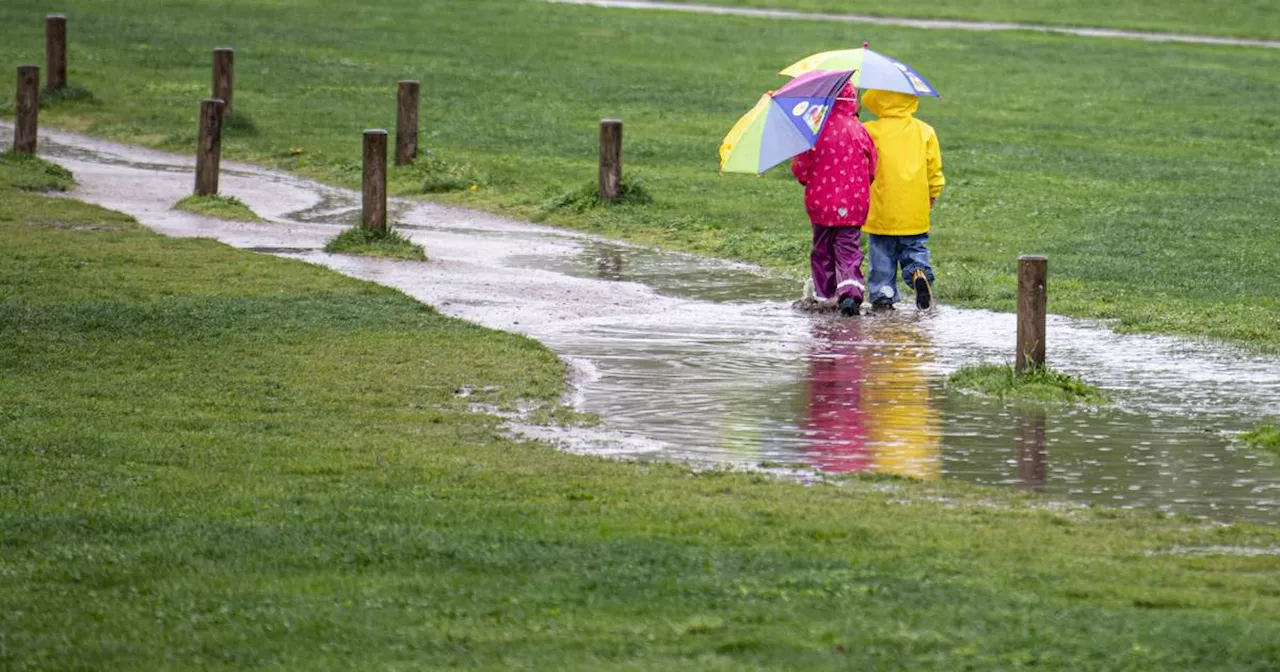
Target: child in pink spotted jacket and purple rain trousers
838 176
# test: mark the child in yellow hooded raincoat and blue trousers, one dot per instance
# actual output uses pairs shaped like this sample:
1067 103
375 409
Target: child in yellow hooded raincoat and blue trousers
908 182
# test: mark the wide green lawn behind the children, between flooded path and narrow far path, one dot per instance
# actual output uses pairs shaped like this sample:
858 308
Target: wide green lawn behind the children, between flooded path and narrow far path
1144 171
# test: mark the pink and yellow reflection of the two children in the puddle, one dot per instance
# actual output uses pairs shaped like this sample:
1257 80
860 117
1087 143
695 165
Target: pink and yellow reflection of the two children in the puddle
870 401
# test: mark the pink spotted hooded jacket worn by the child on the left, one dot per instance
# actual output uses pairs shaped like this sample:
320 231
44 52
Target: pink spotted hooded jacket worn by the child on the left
839 171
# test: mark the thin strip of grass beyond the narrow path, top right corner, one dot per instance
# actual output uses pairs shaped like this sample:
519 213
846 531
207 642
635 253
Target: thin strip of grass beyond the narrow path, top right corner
1250 19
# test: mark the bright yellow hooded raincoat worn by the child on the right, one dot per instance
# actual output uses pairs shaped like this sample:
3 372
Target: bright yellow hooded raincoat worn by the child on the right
911 166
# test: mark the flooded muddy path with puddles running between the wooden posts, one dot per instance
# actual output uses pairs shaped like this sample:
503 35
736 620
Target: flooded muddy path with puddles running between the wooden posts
688 359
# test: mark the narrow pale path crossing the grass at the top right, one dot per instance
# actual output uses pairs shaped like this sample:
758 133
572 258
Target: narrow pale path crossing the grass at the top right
944 25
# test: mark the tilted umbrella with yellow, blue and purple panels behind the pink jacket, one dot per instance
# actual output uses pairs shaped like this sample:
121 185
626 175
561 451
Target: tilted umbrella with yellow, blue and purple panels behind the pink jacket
784 124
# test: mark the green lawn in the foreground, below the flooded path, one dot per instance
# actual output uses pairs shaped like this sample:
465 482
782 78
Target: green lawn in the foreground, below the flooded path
218 460
